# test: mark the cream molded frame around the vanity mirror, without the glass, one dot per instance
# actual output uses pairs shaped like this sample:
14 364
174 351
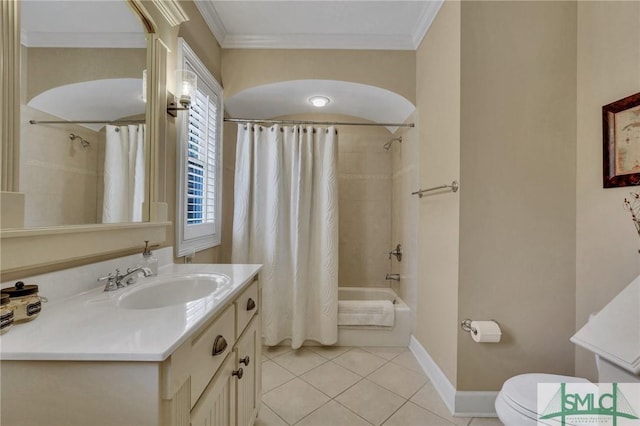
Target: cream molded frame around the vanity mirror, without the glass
25 251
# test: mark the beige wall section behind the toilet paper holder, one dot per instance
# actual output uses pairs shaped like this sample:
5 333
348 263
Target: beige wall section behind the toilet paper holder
517 206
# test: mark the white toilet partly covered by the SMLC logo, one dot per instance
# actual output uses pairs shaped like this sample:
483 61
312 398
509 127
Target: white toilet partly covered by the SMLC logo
613 333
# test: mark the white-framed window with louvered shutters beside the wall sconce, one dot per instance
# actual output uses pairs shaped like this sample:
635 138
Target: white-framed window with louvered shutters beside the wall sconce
199 161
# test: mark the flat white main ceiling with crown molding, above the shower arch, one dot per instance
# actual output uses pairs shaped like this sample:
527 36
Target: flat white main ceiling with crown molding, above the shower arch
313 24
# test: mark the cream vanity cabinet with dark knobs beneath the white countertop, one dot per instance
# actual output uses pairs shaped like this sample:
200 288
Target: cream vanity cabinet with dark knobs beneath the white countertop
199 383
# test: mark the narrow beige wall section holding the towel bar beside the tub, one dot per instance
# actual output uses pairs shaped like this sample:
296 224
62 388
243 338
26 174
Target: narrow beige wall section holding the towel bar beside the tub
438 105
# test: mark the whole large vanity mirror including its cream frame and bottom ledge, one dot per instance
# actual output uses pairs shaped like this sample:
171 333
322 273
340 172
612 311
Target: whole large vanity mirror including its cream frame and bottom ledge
81 60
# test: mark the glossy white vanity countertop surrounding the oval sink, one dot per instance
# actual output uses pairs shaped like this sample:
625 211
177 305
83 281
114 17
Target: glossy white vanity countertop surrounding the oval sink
91 327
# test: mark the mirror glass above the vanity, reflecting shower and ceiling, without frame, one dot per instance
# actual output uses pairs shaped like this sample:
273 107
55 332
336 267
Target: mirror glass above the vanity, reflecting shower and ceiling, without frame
83 154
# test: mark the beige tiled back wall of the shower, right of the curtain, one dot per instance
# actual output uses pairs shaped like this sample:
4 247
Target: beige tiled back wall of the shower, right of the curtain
365 185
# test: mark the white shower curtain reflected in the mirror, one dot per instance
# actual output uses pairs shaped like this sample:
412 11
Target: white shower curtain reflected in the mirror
124 170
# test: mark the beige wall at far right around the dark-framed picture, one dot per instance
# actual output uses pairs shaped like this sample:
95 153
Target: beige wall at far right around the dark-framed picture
608 70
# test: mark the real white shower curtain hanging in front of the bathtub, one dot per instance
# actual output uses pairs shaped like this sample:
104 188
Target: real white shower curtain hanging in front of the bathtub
286 217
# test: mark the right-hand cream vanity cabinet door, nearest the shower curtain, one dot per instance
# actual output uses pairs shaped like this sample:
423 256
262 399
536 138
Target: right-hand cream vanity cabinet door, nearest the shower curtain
249 391
